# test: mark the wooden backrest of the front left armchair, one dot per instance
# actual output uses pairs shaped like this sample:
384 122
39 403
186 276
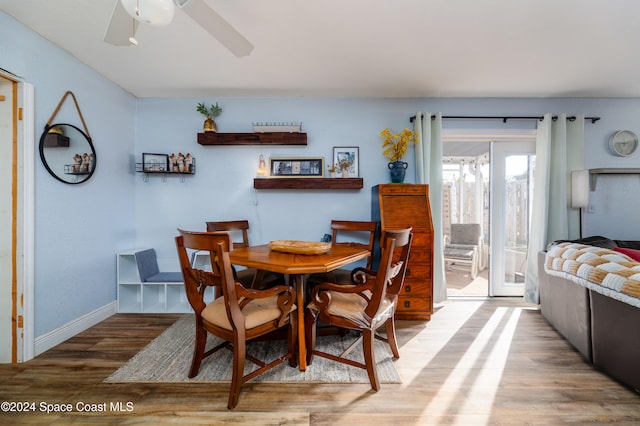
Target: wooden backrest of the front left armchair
196 280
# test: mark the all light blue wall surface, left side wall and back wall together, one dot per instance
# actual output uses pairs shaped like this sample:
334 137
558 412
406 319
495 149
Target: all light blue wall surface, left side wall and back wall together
79 228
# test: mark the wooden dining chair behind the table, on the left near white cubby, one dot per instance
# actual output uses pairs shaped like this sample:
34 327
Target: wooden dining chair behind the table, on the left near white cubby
250 277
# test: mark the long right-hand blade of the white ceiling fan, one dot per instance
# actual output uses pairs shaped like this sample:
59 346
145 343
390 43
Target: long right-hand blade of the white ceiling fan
216 25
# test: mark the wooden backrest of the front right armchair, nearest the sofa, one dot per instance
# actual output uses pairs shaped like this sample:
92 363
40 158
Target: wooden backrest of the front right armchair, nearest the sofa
390 274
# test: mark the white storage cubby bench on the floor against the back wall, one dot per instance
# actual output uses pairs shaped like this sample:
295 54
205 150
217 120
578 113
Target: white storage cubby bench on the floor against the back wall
135 296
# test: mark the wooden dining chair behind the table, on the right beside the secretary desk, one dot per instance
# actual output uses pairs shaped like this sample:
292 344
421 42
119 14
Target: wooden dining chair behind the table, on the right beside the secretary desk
343 232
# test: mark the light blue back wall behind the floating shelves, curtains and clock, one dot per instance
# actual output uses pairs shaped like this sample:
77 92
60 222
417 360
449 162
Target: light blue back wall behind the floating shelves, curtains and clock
222 188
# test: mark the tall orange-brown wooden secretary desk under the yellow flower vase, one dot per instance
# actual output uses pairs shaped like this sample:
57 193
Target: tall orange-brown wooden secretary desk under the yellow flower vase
397 206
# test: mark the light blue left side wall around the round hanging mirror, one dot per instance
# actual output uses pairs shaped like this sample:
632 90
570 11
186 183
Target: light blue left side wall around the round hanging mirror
78 228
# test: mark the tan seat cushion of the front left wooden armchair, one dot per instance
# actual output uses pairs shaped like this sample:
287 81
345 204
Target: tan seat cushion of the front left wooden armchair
256 313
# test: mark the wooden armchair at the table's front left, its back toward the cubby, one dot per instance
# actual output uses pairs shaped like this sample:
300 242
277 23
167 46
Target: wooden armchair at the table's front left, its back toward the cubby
238 316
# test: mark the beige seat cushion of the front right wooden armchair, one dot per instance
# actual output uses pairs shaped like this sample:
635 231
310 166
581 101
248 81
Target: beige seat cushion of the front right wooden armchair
351 306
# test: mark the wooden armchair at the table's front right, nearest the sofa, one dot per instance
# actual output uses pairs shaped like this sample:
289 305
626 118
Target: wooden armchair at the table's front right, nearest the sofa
365 305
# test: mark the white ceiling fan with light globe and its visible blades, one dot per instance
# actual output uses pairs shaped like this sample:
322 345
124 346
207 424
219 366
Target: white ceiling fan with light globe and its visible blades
127 14
